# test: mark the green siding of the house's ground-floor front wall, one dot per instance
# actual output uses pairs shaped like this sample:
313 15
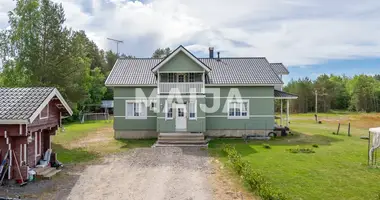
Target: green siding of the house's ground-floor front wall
261 111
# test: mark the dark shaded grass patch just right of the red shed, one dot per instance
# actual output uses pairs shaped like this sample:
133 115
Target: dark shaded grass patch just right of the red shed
75 155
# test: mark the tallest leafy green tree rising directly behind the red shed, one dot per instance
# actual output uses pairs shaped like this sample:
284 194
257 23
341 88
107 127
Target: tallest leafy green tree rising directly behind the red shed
38 50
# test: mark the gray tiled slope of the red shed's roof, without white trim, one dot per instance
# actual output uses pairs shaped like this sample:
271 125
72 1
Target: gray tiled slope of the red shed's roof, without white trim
21 103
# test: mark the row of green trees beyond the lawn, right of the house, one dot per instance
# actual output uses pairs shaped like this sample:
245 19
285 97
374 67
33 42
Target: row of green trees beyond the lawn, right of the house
358 93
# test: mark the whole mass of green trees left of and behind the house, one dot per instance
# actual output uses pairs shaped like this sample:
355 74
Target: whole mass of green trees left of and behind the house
38 50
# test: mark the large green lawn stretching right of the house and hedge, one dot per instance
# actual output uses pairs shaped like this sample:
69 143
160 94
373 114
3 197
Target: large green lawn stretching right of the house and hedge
338 169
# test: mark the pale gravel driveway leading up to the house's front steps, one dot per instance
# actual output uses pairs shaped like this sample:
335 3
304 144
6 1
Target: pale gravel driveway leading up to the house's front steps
148 173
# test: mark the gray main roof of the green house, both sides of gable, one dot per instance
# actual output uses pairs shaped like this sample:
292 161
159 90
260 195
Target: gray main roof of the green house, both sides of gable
137 71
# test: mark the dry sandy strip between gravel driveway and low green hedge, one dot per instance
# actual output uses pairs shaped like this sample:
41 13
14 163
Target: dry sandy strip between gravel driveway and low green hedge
226 185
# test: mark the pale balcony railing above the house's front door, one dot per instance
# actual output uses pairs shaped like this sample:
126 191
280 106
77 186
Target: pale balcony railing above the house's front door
193 87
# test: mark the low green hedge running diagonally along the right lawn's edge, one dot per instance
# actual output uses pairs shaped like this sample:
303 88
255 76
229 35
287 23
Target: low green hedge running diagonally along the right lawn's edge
255 180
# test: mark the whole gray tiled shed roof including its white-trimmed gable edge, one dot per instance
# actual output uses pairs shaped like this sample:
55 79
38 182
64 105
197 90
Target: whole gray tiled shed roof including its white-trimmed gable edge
23 105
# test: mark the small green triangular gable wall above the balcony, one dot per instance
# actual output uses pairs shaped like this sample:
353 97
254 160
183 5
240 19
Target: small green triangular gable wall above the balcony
180 63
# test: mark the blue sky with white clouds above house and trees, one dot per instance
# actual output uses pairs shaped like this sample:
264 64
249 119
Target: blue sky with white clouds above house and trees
311 37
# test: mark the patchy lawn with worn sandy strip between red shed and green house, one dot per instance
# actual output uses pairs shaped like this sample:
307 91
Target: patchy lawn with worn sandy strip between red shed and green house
89 141
